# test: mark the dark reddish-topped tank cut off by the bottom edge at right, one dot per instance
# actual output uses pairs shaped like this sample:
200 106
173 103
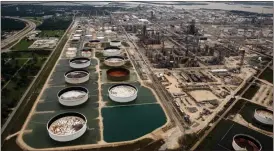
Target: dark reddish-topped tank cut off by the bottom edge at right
245 142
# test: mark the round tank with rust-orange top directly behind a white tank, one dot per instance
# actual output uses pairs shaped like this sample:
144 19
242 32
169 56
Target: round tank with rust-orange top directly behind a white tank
118 74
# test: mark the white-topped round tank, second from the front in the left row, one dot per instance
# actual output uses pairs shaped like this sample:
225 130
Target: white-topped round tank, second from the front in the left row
73 96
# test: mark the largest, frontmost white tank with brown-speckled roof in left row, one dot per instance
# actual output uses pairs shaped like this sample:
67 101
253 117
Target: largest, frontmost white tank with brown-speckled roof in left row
67 126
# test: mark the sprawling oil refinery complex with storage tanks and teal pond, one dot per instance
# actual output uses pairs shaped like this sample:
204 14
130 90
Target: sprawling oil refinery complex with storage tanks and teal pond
180 79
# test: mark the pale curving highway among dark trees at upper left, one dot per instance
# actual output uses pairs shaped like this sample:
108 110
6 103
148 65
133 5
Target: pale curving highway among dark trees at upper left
19 35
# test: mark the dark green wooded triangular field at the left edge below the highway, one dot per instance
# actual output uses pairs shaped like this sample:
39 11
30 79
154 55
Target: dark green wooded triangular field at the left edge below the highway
18 70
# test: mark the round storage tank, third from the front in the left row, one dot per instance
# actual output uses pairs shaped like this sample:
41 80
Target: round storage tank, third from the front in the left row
76 76
